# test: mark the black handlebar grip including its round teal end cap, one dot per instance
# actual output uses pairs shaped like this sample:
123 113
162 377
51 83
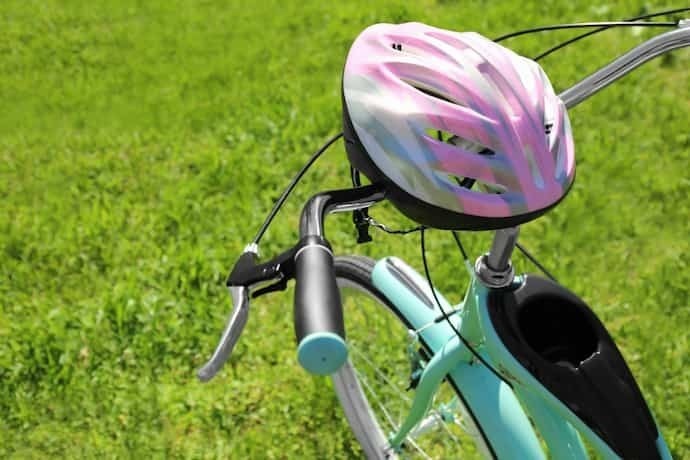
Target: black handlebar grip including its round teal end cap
318 310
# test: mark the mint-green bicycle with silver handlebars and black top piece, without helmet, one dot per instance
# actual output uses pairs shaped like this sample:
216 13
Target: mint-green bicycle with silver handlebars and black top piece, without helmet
521 372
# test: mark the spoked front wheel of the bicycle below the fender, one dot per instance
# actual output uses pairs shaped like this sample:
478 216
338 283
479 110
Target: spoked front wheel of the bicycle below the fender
375 386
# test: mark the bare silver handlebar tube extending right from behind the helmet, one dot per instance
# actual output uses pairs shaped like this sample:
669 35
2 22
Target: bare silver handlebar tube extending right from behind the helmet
621 66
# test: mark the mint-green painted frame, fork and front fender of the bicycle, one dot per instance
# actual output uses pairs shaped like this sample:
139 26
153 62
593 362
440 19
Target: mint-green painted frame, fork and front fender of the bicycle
498 409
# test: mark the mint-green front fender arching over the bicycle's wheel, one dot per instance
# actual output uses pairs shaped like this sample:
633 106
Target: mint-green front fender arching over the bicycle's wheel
490 402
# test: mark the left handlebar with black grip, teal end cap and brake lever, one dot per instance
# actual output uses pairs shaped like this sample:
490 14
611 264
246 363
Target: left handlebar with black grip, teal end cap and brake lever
318 312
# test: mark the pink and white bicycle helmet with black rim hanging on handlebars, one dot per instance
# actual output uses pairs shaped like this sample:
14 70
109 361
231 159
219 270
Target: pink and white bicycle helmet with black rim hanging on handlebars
463 133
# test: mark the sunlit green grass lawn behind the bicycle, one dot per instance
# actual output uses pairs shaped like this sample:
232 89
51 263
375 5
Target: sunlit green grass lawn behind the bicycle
142 143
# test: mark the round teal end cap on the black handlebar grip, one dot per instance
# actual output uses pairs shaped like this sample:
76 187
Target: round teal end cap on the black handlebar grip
322 353
